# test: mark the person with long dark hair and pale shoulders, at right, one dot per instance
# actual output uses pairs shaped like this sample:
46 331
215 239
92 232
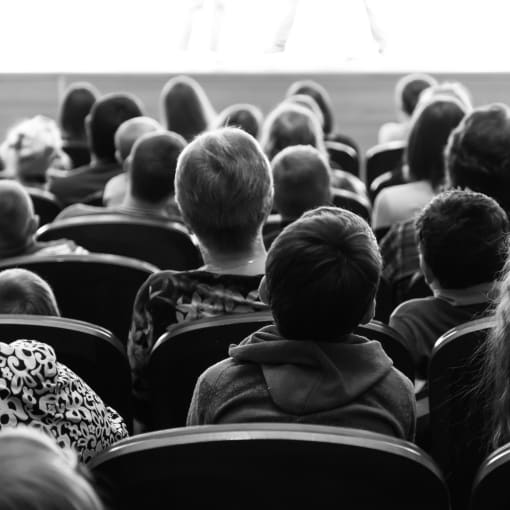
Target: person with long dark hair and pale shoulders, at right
424 155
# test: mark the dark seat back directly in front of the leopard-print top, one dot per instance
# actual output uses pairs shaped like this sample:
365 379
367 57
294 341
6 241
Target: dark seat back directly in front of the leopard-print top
90 351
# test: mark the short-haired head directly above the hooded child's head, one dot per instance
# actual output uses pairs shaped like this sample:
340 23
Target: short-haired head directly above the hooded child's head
301 177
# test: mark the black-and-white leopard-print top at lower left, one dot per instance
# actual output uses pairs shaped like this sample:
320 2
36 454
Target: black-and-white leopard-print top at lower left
38 391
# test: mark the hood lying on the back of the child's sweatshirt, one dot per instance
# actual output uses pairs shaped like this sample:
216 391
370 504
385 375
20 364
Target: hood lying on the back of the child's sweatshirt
305 377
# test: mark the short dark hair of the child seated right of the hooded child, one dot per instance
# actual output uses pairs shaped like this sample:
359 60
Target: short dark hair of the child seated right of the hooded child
463 238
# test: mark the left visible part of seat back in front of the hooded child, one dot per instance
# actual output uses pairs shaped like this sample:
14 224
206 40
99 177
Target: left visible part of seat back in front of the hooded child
182 354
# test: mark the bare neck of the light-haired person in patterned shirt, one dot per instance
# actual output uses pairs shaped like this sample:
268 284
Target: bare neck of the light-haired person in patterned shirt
250 262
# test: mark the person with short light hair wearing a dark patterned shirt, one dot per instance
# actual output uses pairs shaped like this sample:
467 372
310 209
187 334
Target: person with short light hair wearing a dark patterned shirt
224 190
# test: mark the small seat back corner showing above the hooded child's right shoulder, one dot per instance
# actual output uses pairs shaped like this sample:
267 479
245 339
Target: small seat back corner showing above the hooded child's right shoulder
393 344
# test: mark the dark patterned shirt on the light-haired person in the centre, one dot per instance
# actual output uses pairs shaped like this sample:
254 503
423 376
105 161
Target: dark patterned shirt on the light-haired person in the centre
169 297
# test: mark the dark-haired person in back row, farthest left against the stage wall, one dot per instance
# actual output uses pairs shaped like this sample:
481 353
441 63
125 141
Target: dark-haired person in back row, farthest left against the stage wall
76 104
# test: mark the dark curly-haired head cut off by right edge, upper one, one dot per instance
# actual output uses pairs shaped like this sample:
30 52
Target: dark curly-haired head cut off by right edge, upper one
478 153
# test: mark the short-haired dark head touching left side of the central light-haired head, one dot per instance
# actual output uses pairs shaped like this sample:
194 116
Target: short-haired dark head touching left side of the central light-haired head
152 165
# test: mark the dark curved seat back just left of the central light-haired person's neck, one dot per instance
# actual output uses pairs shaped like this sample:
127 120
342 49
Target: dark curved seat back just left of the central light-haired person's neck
167 245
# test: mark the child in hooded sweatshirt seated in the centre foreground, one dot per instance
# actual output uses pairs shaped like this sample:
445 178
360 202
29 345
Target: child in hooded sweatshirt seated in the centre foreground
322 274
